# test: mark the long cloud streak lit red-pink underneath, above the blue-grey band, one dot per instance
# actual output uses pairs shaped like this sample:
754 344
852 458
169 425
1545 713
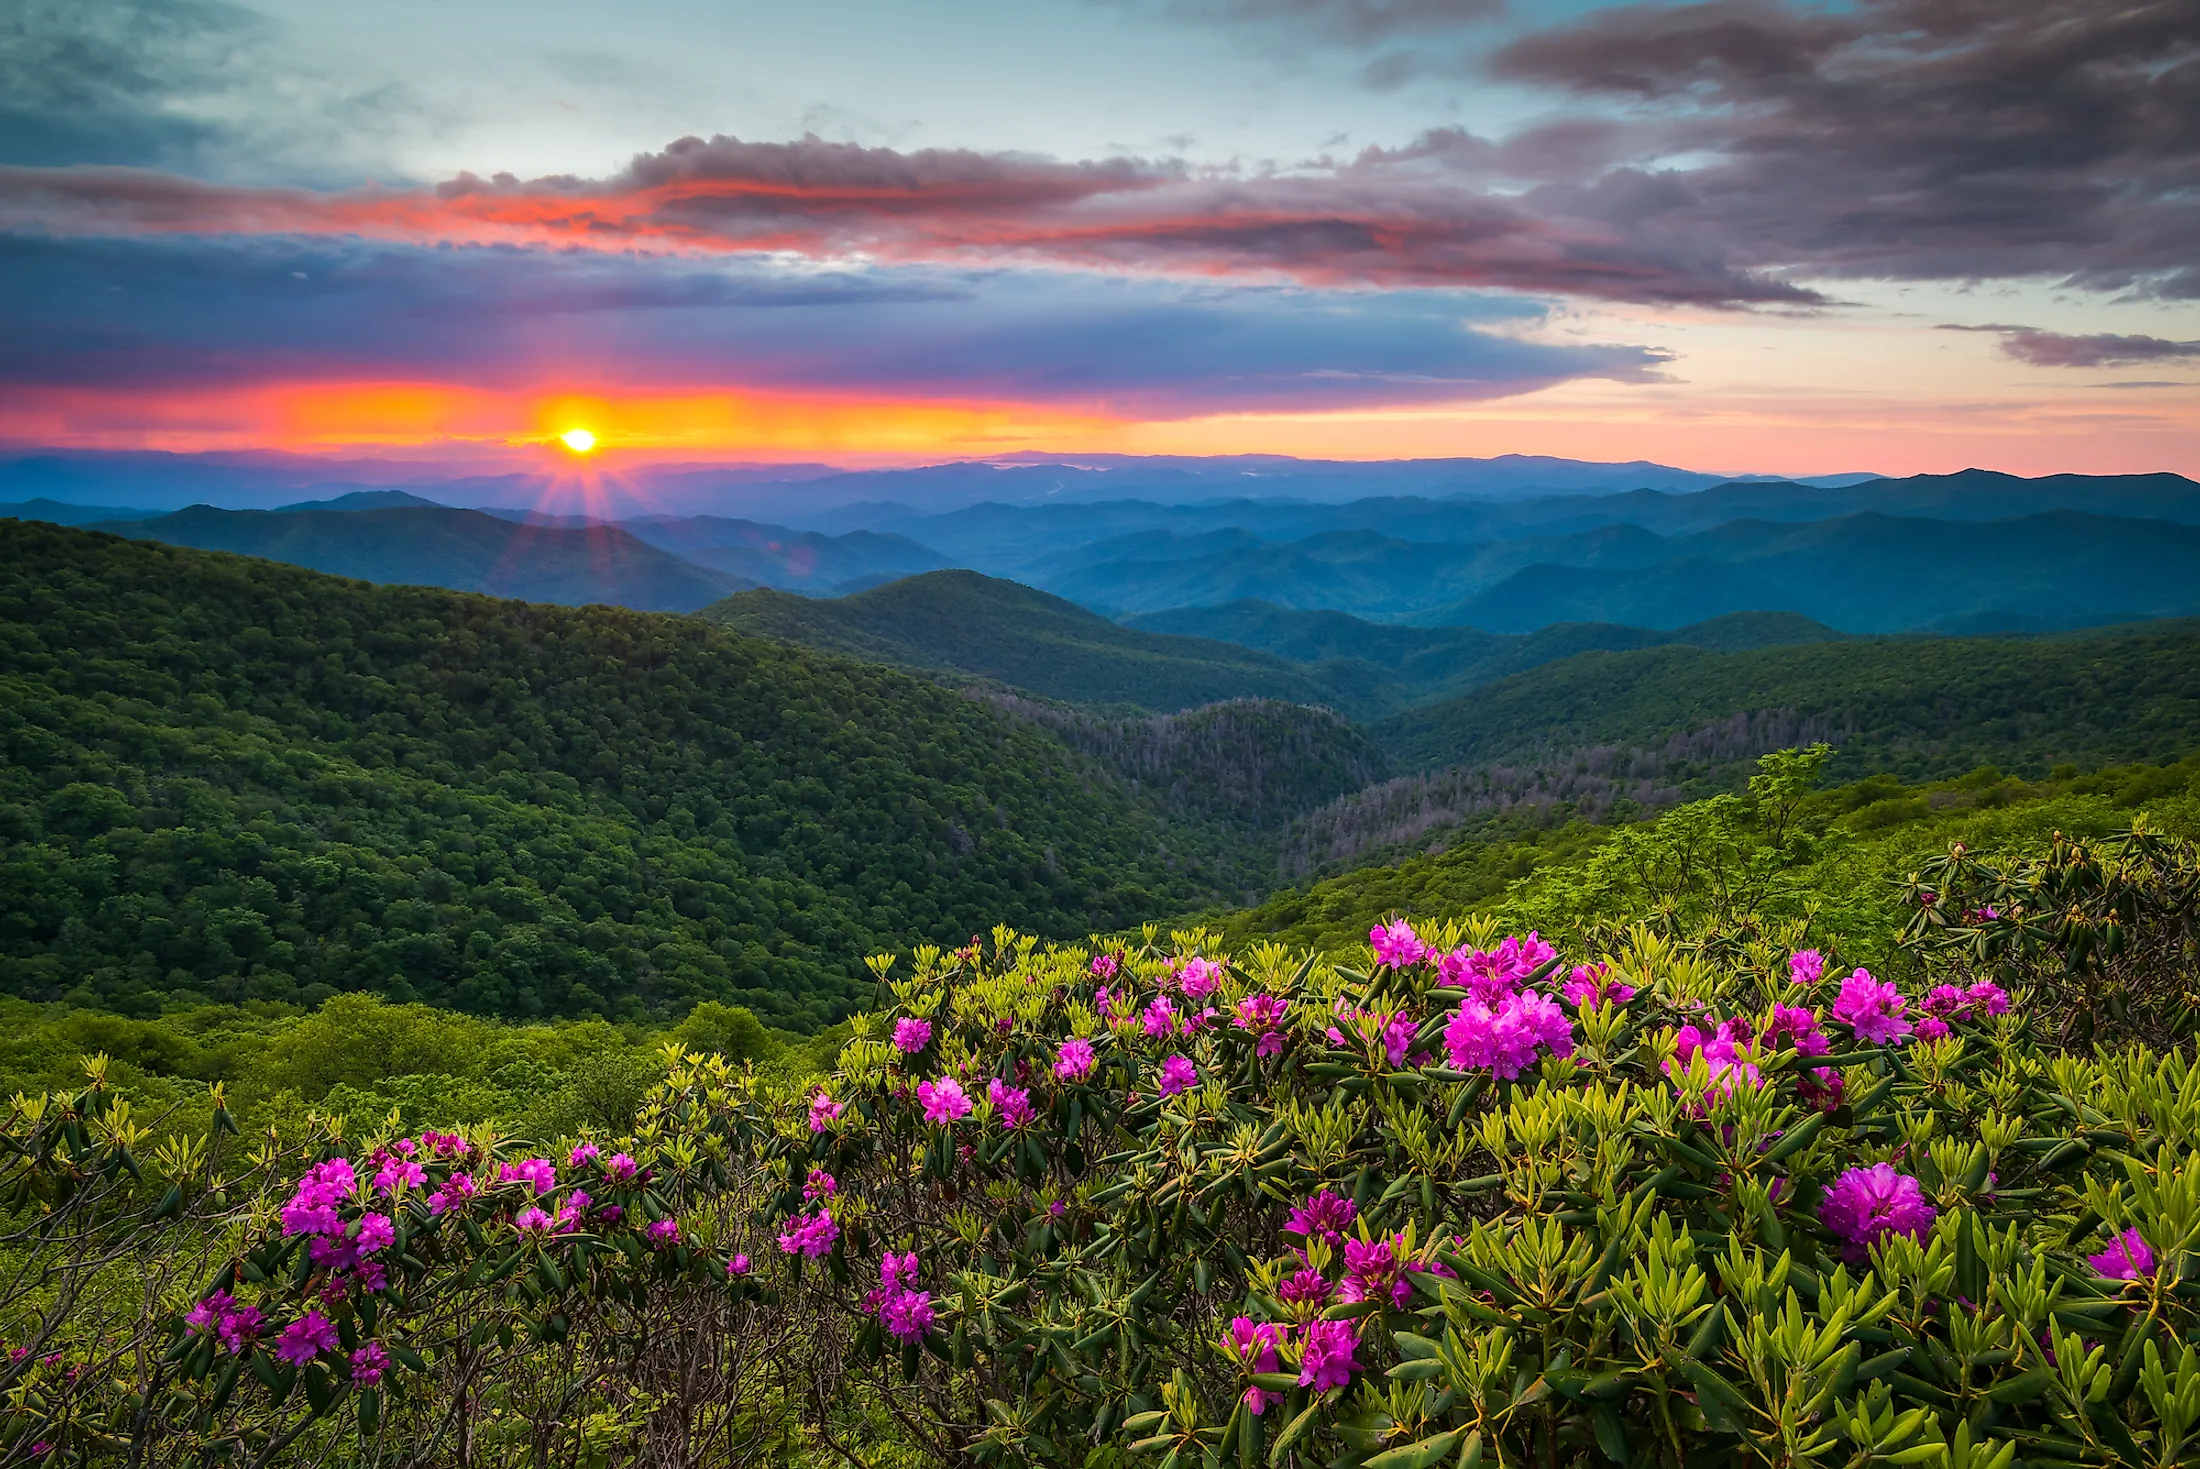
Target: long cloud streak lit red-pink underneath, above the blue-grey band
1387 219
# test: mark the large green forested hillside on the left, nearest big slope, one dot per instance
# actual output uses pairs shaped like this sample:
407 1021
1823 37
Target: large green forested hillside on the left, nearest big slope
228 780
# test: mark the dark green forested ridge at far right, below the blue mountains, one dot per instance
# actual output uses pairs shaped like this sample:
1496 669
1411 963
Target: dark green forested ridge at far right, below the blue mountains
1908 707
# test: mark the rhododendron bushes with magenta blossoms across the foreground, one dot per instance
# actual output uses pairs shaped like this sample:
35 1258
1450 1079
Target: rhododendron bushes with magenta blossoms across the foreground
1460 1200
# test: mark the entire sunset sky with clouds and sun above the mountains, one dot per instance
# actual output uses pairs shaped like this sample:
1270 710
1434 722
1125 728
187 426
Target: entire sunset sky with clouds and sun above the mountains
1746 236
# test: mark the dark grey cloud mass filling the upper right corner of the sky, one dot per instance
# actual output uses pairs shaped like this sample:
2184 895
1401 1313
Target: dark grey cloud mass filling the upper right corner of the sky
1906 140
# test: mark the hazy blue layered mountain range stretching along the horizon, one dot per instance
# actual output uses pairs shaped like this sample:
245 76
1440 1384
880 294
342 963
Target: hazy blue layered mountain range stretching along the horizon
1972 553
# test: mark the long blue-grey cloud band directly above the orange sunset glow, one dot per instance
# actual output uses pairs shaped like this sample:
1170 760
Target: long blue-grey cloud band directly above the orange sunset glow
179 311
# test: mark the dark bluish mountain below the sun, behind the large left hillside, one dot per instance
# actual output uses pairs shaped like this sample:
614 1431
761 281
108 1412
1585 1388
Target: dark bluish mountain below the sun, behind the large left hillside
465 551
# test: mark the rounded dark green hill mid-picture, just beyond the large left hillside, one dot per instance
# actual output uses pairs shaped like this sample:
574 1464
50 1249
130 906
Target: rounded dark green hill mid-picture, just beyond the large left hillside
1004 632
